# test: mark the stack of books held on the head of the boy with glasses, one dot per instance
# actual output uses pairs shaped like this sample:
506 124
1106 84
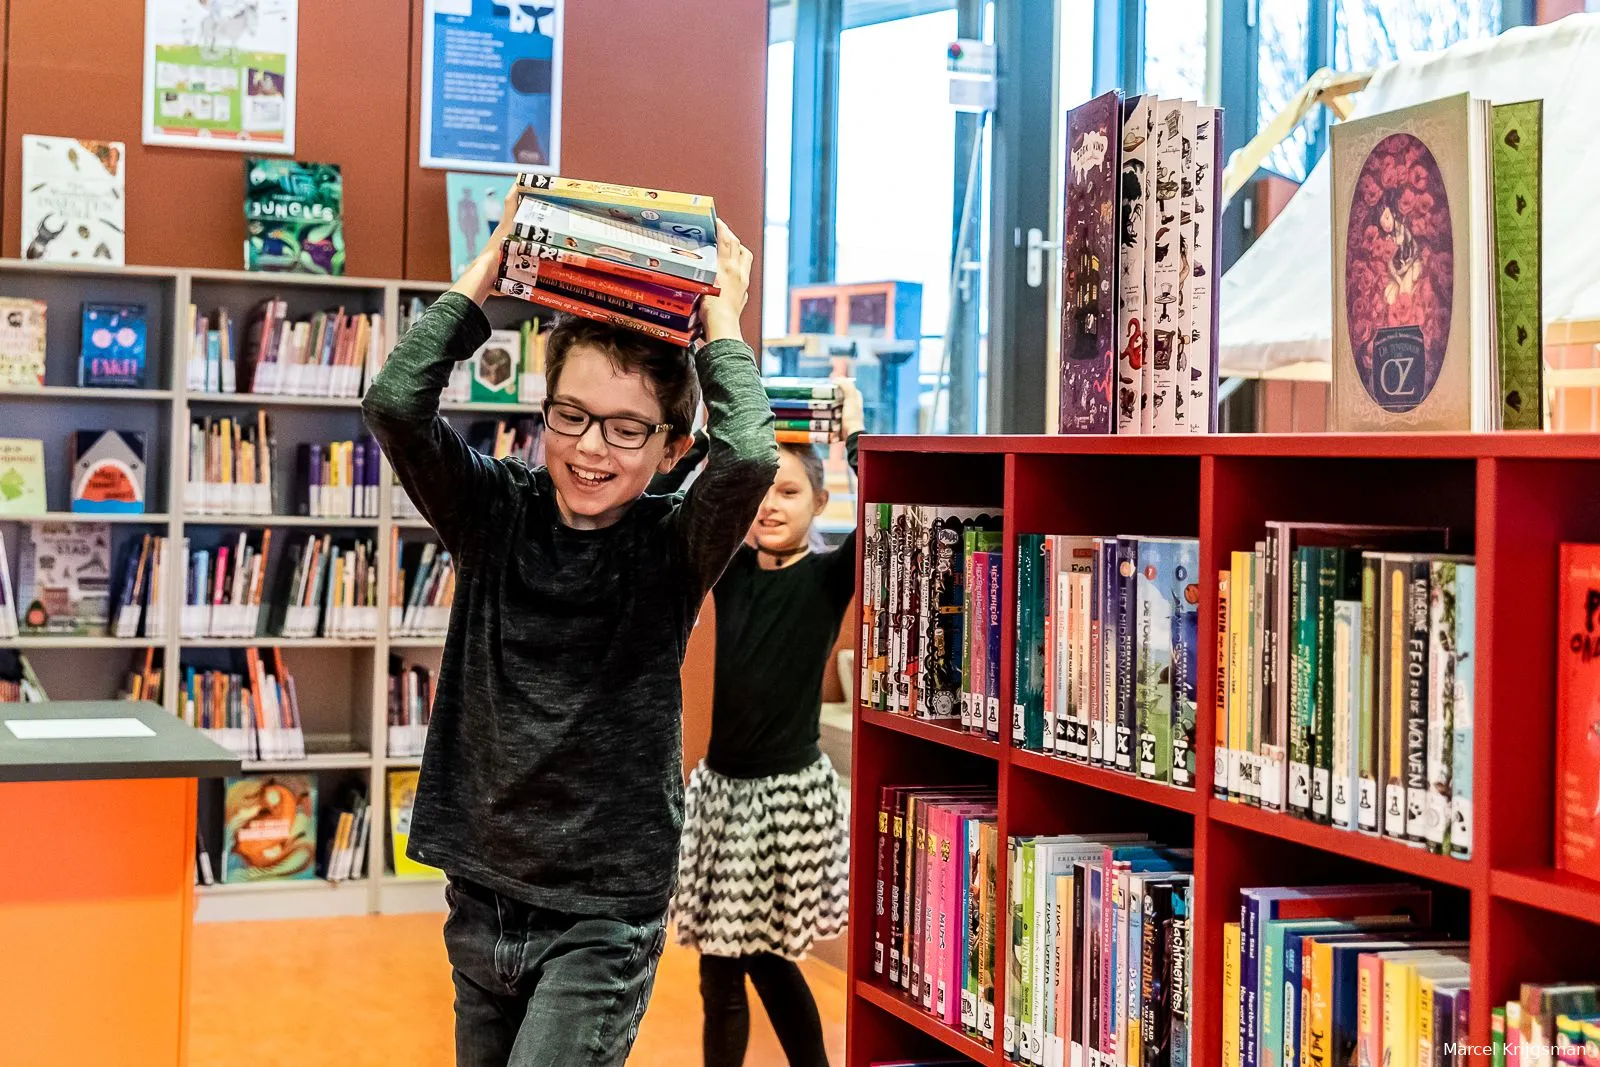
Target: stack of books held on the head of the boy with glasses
634 258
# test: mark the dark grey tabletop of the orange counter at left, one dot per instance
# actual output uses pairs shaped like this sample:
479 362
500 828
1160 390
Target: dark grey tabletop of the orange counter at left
174 749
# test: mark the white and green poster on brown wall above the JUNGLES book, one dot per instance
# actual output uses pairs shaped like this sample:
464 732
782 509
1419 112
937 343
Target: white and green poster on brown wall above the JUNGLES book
220 74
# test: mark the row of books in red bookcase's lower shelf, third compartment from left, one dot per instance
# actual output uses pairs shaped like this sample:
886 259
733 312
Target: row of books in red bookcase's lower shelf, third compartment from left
1334 973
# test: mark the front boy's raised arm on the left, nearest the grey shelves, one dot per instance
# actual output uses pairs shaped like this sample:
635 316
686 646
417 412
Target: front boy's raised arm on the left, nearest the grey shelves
447 479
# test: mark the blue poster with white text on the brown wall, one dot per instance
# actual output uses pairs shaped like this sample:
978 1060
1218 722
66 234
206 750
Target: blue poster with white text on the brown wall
492 86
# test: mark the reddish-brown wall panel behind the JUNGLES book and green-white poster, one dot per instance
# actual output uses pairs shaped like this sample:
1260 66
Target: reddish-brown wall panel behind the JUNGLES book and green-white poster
76 70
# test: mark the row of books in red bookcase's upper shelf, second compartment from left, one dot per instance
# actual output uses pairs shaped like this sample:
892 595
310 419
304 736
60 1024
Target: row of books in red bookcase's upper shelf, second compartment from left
1108 653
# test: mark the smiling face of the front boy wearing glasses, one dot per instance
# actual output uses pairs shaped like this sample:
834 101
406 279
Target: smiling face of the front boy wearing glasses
596 482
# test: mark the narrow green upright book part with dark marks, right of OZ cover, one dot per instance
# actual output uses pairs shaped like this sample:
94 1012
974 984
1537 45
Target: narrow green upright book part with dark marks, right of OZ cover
1519 209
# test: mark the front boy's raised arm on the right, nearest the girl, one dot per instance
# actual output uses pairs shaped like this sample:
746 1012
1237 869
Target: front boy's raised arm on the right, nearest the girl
742 458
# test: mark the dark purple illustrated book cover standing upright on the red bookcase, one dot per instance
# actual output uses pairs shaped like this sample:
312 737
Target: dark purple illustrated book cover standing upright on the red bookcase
1089 282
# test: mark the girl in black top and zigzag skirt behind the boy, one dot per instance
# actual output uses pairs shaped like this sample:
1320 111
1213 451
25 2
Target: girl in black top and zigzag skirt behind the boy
764 865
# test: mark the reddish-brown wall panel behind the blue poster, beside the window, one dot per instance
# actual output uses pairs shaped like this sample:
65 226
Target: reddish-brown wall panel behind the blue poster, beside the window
655 94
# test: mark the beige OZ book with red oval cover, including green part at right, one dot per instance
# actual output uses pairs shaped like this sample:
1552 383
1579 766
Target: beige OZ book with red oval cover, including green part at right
1434 226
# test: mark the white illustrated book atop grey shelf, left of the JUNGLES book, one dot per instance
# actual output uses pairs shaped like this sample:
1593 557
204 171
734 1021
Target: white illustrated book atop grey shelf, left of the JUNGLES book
73 201
